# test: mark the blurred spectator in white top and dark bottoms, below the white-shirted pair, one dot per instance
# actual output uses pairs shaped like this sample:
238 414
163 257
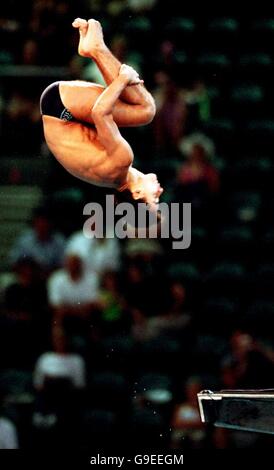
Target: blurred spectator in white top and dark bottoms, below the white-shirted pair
59 378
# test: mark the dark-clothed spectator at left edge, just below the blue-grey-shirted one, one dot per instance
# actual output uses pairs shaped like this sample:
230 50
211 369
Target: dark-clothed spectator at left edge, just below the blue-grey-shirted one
25 319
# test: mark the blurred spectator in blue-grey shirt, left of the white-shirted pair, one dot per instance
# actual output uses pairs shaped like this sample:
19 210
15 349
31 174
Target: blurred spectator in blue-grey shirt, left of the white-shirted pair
41 243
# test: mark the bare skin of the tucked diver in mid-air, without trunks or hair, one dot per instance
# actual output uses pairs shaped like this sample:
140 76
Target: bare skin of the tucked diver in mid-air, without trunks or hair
99 154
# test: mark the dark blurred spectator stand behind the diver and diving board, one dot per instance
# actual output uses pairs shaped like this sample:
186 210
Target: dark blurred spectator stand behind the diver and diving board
106 341
